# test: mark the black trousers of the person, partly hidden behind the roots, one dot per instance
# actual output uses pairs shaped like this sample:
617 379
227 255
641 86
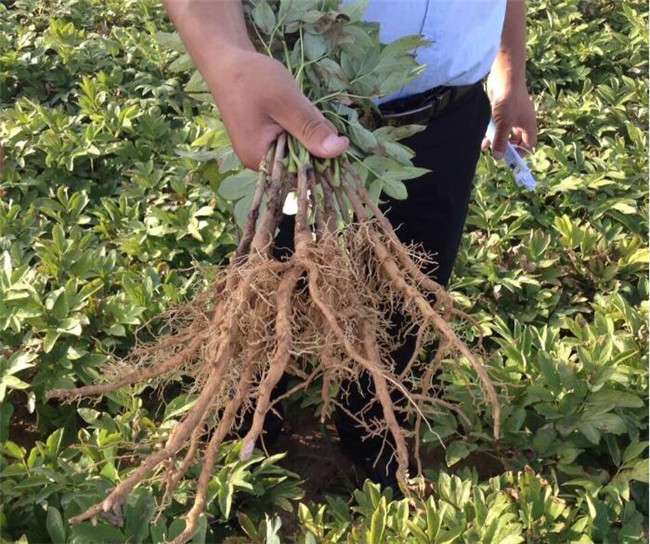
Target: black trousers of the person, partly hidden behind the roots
433 215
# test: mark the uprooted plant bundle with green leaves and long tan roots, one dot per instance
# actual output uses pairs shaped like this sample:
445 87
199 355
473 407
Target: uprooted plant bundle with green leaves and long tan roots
323 313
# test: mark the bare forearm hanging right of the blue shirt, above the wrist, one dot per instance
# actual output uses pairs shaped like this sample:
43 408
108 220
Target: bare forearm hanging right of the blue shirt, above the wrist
510 62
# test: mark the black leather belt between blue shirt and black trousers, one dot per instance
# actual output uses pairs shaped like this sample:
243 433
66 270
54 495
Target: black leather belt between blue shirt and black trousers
419 109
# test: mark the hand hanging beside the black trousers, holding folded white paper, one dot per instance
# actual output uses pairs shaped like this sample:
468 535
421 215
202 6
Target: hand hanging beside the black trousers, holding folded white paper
514 115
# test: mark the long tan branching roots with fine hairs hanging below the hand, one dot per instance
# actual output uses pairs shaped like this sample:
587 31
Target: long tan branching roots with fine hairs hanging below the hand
320 314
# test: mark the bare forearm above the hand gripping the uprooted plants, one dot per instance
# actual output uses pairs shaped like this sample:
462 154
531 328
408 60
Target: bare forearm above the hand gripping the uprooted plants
211 30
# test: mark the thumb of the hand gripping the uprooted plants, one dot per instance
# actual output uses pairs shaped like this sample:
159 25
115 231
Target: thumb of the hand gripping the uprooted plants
303 121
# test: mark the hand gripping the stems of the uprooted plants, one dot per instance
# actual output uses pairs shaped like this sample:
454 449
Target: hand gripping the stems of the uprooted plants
258 99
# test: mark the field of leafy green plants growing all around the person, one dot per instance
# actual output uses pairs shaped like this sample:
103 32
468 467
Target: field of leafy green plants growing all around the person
119 200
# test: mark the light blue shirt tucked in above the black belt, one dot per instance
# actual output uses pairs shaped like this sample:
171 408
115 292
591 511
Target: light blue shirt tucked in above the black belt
465 36
